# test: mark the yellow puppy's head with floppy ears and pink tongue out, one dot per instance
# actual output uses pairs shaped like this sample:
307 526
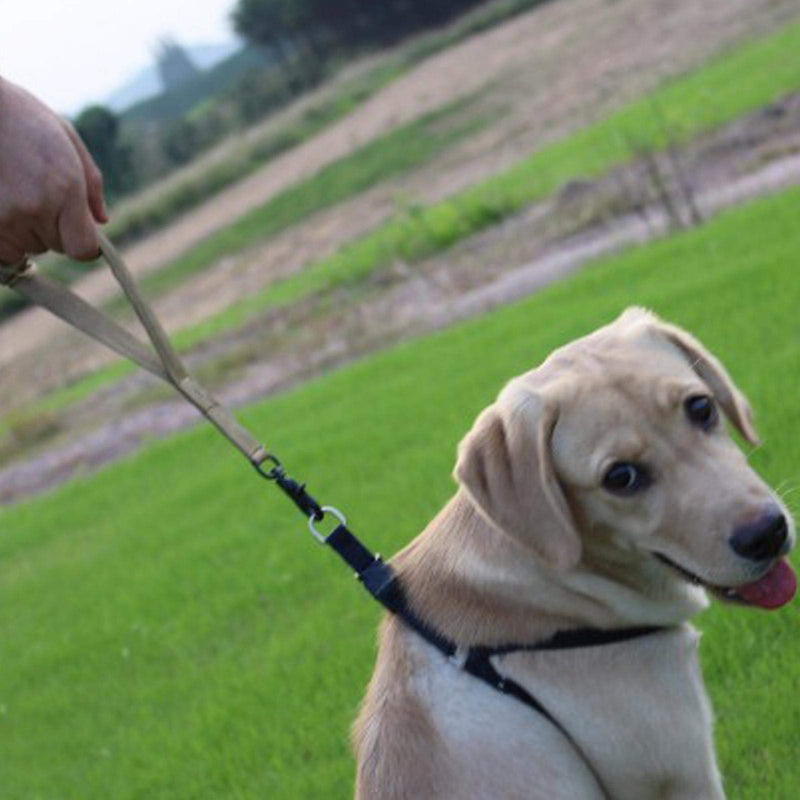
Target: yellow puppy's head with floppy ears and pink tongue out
618 440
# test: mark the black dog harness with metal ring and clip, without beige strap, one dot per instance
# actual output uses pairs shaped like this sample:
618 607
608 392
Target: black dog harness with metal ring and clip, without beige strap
381 582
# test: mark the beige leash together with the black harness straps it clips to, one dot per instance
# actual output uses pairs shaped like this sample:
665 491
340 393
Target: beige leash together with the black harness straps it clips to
377 577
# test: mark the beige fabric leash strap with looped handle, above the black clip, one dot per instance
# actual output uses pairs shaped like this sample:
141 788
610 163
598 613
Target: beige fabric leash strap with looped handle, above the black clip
165 363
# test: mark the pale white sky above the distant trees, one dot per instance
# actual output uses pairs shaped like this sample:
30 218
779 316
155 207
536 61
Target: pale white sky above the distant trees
70 53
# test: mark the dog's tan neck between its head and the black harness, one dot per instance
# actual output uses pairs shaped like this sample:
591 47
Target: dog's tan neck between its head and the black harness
476 585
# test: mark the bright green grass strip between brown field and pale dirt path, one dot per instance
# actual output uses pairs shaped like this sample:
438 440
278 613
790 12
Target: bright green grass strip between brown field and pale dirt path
728 86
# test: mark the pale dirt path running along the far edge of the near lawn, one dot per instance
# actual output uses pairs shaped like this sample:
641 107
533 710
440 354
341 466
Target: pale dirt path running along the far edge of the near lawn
441 292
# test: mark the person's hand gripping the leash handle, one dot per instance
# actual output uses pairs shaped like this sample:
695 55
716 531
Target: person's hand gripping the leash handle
51 192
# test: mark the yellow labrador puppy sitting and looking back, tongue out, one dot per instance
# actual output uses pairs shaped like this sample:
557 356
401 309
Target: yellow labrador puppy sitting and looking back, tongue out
540 647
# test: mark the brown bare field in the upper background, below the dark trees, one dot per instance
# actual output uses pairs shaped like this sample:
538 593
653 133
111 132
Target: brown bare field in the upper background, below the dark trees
547 67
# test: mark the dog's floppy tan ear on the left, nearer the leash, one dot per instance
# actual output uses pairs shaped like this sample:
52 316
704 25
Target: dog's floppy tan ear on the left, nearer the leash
505 466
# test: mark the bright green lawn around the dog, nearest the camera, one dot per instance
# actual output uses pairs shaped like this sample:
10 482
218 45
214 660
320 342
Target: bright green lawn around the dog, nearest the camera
170 630
